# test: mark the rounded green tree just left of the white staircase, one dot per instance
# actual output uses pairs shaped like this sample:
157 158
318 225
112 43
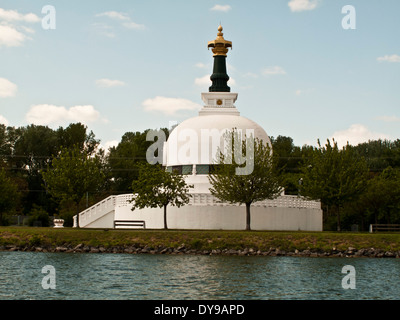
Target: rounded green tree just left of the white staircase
73 174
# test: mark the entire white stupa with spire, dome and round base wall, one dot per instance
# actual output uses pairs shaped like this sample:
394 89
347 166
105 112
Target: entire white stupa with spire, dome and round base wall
191 149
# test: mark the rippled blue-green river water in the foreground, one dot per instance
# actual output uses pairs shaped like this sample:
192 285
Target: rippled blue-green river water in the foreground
87 276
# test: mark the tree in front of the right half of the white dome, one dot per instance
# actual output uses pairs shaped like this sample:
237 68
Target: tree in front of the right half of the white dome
259 183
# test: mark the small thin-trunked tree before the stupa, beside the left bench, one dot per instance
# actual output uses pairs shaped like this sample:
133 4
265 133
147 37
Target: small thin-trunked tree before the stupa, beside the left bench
156 187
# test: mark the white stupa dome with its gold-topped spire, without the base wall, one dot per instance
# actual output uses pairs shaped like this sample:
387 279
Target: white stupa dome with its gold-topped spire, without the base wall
193 146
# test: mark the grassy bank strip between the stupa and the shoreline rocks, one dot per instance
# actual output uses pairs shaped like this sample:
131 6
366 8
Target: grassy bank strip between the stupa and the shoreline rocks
198 240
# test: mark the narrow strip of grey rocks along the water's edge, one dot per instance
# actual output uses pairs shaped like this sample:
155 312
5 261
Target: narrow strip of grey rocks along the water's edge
182 249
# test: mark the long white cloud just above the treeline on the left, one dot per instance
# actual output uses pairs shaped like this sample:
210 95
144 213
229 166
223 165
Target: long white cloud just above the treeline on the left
46 114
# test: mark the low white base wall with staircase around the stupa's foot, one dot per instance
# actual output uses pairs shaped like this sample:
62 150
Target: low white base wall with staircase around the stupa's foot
205 212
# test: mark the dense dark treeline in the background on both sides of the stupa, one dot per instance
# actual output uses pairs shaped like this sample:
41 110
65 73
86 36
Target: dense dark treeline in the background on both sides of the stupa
27 153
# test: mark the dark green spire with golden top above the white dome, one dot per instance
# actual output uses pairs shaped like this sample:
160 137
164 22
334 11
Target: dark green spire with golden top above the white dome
219 77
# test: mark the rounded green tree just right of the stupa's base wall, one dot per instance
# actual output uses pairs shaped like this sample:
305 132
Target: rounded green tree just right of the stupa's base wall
334 176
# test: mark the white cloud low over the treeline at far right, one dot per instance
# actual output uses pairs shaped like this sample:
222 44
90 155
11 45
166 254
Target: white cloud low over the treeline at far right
357 133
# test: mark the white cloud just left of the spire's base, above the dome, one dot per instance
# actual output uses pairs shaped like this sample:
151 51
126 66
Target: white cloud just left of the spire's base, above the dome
169 106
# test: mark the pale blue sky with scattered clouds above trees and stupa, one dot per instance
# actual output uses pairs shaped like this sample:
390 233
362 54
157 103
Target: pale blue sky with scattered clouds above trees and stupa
121 66
